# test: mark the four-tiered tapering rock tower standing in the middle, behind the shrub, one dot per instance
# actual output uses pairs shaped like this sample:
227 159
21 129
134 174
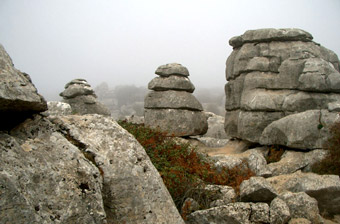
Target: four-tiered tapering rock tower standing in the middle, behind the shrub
170 106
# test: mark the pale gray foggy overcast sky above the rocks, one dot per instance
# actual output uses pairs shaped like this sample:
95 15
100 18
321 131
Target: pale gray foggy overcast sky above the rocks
122 42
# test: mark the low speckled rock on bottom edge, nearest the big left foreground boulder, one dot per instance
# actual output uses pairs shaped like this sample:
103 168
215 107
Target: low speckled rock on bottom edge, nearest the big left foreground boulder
235 213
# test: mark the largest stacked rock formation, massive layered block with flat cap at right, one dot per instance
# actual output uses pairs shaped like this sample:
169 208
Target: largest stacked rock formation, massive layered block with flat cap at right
273 73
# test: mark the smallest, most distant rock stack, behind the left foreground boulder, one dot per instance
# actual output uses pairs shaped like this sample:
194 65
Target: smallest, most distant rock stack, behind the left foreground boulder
79 94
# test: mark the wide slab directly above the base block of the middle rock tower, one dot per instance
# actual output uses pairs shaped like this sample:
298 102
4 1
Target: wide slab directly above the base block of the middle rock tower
172 100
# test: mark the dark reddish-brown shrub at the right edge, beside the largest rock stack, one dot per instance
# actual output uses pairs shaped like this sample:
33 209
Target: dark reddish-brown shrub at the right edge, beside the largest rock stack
331 163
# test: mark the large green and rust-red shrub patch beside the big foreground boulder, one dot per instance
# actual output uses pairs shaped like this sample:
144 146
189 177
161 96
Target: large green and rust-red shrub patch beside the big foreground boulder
180 166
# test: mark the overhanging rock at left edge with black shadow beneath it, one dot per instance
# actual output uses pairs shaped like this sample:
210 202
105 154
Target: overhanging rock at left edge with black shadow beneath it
19 98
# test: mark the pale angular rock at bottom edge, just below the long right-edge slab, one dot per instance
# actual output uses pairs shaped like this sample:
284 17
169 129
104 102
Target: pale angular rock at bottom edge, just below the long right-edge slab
302 206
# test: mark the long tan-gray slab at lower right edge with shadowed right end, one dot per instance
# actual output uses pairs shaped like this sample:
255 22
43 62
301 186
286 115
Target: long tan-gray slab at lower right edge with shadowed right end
324 188
